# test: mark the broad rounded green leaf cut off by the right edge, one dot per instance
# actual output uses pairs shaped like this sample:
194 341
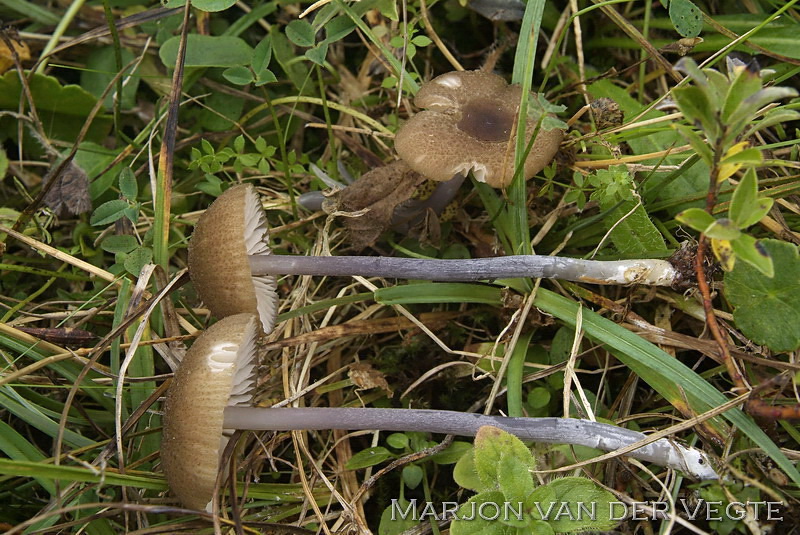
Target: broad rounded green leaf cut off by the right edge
767 310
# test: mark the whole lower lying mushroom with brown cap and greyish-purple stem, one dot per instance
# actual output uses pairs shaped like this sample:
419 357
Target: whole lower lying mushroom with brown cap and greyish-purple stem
212 390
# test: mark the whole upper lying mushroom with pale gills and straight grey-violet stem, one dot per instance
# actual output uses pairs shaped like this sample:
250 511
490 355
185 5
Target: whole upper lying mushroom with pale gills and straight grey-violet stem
233 271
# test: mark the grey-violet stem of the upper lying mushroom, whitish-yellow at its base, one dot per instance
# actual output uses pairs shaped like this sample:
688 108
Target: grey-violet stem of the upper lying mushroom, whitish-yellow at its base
652 272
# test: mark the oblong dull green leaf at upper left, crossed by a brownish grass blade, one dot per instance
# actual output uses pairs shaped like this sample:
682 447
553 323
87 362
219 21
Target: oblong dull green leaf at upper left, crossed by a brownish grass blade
207 51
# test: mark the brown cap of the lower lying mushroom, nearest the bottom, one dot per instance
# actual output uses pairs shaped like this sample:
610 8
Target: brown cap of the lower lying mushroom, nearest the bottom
216 372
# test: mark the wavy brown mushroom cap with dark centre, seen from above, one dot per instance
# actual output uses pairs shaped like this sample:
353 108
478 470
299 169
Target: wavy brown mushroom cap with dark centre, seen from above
467 126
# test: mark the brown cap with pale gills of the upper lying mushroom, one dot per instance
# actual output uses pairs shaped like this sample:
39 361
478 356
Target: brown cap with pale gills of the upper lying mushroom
230 230
